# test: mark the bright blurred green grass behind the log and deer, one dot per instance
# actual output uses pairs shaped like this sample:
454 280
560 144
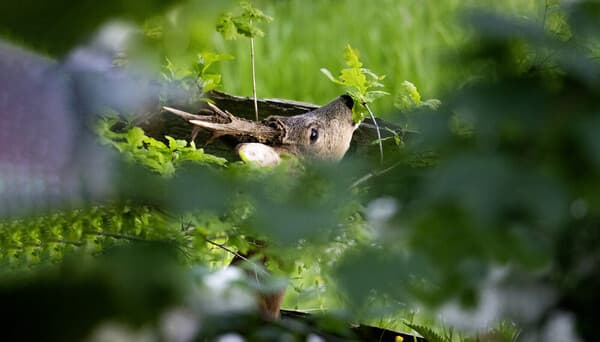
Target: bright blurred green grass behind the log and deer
402 39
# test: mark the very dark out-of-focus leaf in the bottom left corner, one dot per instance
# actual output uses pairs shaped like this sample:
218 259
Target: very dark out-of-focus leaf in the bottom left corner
132 284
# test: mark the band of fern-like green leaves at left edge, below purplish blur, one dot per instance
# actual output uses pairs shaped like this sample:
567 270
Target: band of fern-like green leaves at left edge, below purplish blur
37 241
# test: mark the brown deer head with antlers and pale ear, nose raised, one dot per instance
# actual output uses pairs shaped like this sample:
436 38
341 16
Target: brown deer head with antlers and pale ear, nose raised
322 134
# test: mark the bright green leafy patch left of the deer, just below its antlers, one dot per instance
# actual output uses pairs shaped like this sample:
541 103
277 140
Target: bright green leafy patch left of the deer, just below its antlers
158 156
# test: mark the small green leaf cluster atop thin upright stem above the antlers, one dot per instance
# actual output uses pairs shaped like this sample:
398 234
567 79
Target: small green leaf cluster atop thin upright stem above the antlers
244 24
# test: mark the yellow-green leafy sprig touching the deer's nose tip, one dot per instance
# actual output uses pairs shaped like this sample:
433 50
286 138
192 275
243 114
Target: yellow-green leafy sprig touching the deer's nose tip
359 82
